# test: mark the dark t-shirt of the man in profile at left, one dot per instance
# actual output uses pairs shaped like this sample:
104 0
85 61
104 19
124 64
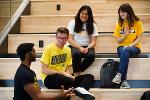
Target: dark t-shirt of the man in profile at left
23 76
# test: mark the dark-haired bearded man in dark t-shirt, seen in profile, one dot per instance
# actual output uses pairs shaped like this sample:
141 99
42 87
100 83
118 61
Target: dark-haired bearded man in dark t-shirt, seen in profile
25 81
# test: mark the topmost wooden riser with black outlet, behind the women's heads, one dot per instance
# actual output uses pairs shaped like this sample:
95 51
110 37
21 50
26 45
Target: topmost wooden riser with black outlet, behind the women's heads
61 7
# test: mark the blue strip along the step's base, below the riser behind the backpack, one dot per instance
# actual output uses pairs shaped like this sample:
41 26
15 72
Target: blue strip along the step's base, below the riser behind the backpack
96 84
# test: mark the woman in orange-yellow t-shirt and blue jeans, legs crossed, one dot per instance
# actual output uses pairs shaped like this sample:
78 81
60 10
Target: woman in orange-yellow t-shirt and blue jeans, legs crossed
128 32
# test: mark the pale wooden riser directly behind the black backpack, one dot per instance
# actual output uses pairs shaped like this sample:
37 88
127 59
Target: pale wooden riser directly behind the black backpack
137 70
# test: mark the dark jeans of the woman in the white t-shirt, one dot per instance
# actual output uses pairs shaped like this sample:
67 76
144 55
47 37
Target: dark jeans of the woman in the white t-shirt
79 65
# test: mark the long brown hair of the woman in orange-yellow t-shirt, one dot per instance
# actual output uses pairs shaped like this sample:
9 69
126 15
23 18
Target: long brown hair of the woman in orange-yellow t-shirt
131 17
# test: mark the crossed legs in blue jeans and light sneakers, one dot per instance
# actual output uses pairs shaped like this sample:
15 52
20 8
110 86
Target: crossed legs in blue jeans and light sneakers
124 54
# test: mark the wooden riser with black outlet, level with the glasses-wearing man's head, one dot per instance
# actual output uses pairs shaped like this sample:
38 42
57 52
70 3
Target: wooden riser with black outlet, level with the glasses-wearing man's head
105 42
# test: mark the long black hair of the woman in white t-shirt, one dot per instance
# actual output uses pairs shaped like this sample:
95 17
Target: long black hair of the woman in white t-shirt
89 23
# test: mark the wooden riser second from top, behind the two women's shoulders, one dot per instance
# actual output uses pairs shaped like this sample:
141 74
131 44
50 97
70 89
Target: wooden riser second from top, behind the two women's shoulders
49 23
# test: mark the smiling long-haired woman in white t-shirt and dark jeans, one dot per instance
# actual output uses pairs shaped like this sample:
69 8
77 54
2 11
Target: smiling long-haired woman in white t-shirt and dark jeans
82 39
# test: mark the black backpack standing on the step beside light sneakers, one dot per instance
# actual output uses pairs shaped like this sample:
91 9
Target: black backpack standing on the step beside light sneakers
107 72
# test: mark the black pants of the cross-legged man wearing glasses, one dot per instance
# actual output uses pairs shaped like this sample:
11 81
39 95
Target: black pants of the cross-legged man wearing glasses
56 80
